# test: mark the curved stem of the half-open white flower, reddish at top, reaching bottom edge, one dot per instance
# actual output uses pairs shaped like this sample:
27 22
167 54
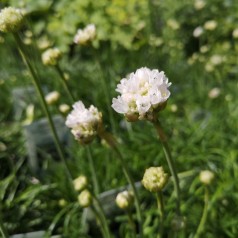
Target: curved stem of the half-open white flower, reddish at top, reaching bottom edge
113 144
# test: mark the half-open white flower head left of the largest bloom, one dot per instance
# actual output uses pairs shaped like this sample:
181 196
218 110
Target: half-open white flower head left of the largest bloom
84 122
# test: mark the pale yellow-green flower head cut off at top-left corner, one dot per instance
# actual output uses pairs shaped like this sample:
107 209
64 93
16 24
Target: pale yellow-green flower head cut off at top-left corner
11 19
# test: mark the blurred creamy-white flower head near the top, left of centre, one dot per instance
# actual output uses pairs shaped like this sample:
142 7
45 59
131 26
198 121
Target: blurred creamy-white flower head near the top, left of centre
85 35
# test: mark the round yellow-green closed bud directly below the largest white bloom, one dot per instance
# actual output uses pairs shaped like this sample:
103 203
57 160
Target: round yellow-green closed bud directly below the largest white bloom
155 179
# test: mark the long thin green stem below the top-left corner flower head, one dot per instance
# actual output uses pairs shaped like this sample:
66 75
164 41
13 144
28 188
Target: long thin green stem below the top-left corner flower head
42 99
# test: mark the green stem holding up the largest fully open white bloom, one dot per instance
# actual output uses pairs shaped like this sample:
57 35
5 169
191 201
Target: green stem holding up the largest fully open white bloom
170 162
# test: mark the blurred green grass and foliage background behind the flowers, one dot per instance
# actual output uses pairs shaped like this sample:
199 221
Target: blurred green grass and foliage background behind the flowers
194 42
